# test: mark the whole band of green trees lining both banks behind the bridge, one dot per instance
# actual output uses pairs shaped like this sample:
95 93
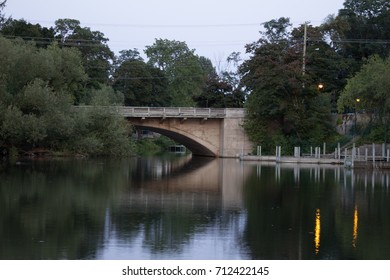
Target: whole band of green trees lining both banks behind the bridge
290 95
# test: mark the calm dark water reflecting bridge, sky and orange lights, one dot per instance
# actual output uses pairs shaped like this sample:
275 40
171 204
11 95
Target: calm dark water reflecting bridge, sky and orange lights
191 208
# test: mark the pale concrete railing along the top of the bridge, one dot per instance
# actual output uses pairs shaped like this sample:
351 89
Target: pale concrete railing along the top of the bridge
171 112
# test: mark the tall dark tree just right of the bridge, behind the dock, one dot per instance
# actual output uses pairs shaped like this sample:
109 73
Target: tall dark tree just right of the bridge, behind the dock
284 106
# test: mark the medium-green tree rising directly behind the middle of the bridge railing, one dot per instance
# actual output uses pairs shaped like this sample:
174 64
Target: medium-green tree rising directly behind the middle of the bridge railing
186 72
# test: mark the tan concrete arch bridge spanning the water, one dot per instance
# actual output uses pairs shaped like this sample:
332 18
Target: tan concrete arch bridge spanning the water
204 131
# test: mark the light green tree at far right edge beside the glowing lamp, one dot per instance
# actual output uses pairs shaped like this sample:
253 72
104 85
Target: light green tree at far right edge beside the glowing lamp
368 90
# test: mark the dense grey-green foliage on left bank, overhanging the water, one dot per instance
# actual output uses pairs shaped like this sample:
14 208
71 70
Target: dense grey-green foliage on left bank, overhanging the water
38 89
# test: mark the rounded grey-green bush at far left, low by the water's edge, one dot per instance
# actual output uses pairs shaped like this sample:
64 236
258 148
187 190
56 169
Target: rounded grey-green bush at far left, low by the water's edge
36 117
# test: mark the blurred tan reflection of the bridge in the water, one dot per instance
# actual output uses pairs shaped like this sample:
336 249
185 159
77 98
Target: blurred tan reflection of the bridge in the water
188 182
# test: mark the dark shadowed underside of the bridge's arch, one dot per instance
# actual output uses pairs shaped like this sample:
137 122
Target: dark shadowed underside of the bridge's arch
194 146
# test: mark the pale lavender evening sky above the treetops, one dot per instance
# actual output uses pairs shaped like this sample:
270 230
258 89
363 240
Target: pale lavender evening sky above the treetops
214 28
